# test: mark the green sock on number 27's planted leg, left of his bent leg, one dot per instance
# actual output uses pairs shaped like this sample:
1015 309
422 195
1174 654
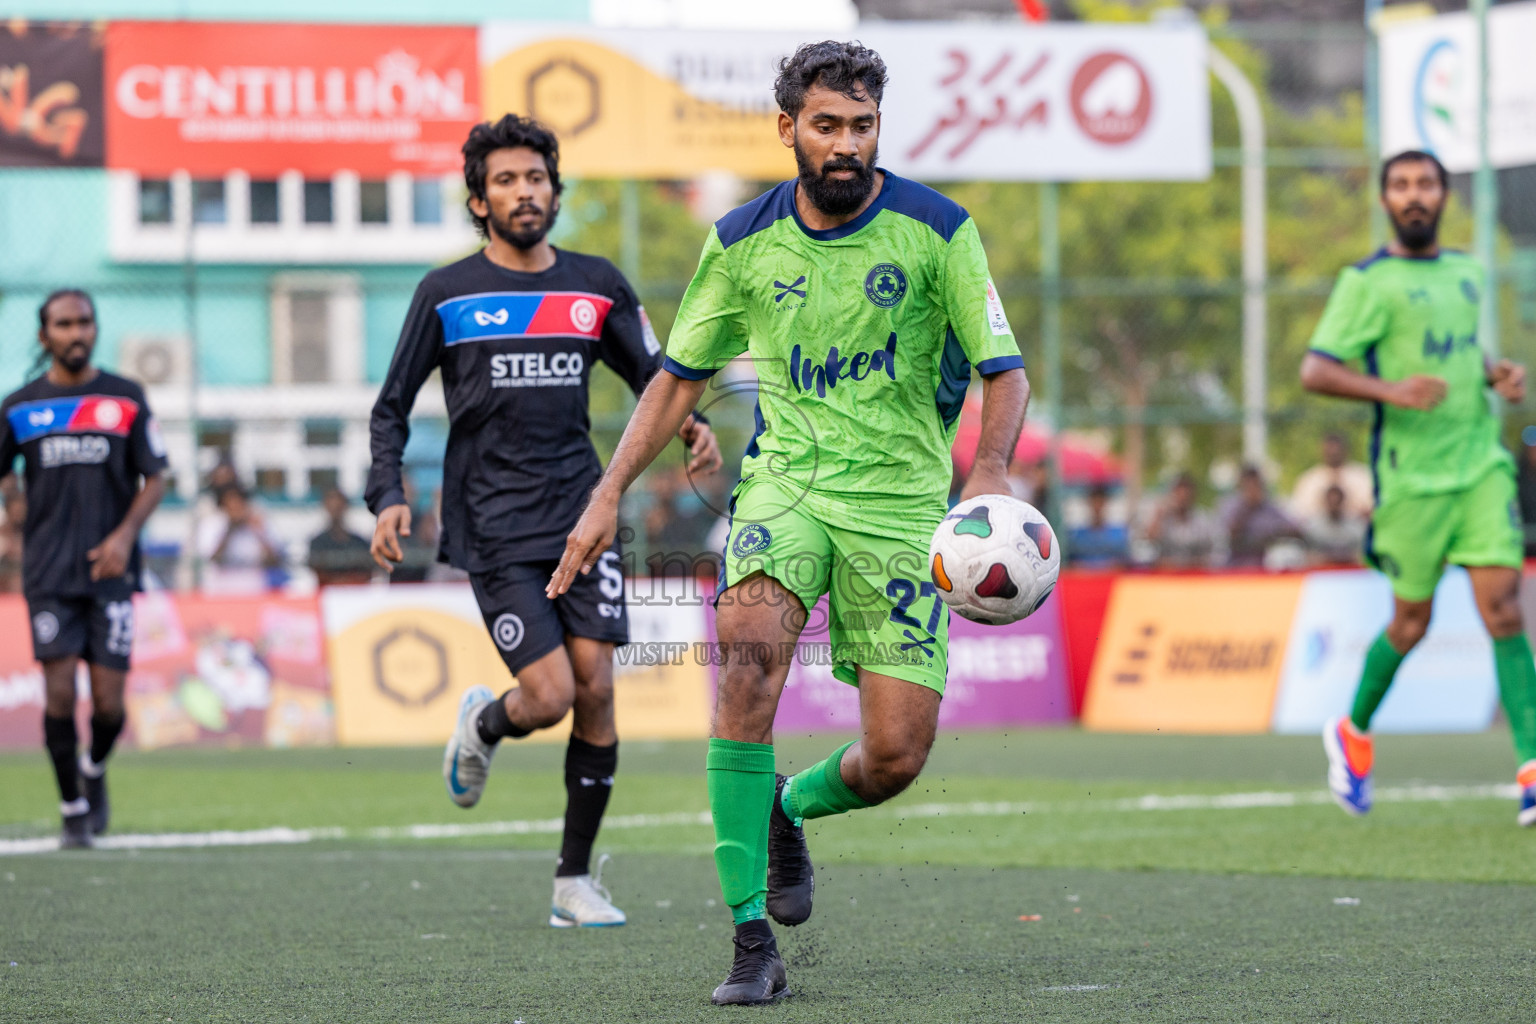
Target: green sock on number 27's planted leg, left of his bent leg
741 781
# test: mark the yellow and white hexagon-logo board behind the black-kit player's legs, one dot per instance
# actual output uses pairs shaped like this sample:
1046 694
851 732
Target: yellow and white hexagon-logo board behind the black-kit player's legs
403 655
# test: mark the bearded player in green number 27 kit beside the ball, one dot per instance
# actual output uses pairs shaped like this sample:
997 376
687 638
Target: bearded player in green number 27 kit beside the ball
864 302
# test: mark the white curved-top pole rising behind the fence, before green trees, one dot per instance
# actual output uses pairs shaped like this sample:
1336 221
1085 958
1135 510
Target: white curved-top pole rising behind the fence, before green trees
1256 268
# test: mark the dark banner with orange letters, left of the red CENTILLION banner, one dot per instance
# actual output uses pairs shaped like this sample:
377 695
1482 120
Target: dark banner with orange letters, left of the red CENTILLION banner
51 94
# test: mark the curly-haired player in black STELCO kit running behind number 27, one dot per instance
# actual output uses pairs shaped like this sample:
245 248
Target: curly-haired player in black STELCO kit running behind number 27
515 331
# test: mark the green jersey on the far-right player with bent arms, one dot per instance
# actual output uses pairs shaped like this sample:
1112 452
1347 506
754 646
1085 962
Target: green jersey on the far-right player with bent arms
1409 317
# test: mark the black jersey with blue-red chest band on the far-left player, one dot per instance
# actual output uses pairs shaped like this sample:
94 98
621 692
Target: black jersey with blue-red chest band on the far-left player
85 451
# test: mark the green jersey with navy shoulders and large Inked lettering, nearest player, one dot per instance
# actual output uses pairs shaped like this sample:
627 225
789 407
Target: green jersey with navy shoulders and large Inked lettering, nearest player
862 340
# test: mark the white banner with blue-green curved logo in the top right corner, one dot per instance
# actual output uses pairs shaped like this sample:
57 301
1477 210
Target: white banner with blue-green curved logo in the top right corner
1429 87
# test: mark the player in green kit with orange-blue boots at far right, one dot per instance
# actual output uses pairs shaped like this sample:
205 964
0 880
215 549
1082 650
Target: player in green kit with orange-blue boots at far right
1445 481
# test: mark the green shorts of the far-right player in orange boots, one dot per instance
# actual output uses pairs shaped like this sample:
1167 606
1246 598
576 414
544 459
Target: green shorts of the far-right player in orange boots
1412 540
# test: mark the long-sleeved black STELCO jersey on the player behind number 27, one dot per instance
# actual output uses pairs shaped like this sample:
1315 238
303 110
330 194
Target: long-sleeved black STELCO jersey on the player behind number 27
517 354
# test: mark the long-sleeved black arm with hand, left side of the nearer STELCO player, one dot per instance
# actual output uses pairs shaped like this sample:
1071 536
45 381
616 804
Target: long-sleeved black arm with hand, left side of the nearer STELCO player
419 351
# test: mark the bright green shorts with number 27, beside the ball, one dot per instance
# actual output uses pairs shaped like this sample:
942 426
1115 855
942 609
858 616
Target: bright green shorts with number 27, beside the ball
884 613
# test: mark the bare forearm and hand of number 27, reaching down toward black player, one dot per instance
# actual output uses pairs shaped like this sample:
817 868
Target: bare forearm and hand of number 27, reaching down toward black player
664 406
